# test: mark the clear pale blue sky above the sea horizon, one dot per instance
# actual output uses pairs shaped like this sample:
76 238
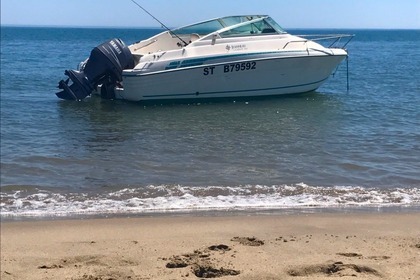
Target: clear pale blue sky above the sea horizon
288 13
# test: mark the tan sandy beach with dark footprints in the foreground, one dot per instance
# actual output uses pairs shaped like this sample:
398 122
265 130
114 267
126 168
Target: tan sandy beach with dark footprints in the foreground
298 246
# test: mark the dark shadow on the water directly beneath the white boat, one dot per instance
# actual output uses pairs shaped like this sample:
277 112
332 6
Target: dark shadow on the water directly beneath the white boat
97 107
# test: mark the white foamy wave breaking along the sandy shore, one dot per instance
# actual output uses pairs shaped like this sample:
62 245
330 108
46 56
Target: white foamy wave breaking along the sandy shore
165 198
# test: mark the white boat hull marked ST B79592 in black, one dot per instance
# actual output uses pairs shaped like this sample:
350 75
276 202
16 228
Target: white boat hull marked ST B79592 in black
240 78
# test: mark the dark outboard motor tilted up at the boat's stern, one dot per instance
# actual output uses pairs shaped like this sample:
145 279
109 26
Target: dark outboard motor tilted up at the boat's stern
104 66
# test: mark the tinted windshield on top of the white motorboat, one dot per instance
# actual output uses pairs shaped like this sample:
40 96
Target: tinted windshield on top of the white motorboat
207 27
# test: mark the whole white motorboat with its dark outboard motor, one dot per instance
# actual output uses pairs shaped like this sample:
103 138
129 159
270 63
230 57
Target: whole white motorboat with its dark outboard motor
227 57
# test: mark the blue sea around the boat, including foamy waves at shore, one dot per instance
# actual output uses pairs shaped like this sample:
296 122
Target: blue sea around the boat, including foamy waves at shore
333 149
